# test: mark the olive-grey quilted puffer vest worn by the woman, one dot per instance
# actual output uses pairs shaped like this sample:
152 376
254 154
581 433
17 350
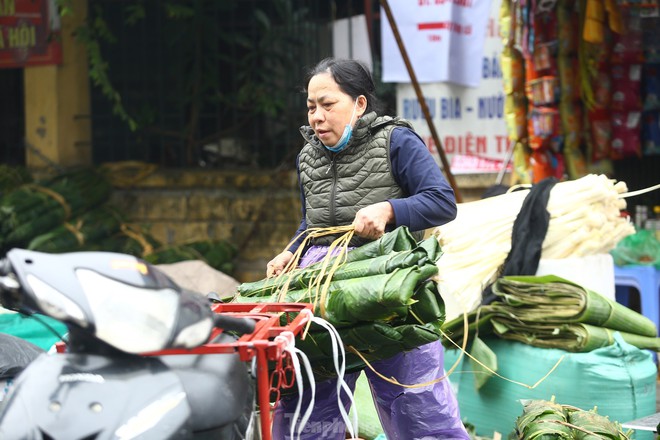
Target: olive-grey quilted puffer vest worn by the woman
338 185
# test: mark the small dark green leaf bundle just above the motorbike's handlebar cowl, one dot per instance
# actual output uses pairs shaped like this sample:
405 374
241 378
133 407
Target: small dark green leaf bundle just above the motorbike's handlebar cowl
80 233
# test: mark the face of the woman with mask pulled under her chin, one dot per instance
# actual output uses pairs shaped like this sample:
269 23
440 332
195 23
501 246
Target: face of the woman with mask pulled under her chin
329 109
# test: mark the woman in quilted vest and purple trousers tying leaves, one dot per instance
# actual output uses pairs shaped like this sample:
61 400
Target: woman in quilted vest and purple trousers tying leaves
372 172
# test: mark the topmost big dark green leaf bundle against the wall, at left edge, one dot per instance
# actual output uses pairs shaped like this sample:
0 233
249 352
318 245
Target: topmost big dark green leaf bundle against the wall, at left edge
34 209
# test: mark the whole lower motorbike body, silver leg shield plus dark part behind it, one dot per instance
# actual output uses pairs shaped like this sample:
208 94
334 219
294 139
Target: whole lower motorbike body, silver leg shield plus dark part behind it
84 396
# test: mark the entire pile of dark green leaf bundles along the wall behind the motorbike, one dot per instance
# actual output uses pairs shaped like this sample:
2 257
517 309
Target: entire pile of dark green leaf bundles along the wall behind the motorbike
71 212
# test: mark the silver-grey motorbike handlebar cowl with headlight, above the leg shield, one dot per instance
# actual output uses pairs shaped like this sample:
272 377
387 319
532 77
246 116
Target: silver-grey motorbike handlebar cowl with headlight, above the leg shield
112 297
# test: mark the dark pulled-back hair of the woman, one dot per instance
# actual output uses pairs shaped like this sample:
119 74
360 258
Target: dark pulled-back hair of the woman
352 77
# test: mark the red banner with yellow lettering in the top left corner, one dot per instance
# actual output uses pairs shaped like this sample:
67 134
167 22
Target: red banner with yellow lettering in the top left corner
29 33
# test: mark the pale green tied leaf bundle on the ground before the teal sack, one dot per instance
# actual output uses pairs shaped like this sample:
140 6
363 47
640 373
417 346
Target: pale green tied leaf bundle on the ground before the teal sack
542 419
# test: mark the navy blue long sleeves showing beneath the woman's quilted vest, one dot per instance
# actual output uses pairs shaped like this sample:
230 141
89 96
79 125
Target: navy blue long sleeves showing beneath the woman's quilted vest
429 200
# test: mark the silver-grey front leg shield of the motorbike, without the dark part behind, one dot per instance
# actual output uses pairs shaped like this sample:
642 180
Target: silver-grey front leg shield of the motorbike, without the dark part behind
81 396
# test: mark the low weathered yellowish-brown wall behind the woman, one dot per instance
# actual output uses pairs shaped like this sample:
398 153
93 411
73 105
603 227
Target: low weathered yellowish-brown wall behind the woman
258 211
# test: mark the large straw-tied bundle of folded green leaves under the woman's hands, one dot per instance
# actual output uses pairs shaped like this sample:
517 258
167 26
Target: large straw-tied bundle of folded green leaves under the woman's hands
381 300
